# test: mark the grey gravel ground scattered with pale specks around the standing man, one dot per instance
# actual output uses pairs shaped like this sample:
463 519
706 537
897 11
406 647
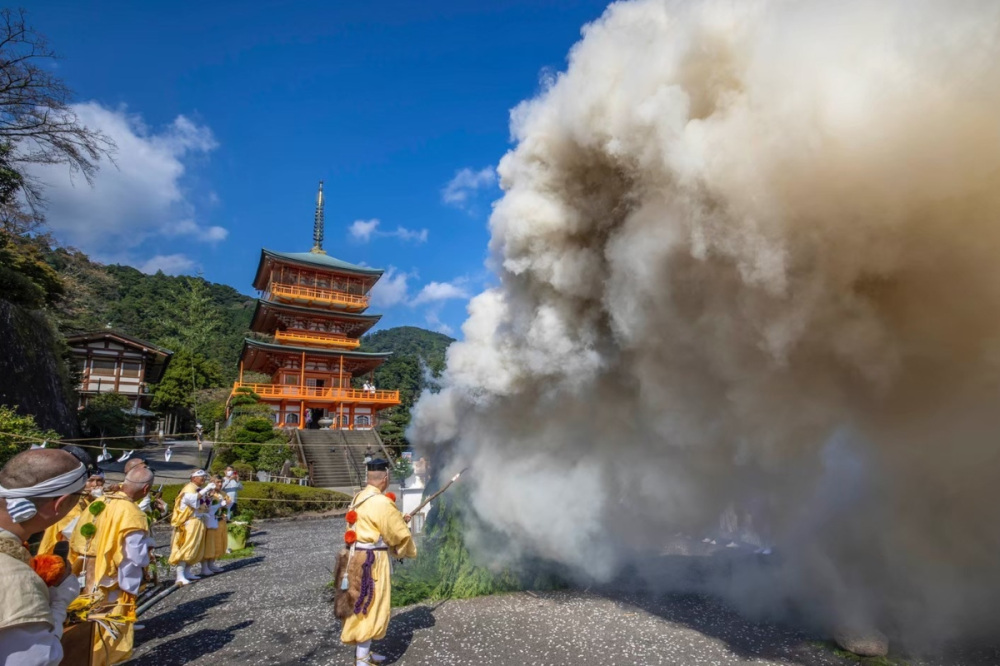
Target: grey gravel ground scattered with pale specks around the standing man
272 609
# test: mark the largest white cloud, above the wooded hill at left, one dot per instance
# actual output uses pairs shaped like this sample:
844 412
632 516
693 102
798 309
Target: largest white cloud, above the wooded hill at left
142 195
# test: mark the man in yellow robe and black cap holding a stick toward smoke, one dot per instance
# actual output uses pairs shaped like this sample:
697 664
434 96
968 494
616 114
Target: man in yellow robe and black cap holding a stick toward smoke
382 533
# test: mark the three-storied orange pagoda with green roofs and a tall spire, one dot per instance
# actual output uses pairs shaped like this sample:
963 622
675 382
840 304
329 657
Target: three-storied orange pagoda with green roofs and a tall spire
314 306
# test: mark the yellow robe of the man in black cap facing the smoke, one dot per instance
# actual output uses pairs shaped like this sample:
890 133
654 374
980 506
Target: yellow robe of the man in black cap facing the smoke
378 517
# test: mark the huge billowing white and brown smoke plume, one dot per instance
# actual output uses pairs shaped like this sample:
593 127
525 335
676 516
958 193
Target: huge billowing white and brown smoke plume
749 256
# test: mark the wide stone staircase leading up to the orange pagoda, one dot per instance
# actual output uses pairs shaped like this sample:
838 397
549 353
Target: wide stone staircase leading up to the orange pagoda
336 458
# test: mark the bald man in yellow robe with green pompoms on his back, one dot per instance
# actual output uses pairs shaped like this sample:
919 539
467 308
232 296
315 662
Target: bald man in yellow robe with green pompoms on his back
123 552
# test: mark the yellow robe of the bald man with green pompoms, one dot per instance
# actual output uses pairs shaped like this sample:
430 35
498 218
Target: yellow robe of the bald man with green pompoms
120 518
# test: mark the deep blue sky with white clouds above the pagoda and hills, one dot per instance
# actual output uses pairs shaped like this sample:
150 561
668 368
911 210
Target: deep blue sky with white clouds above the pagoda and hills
228 114
